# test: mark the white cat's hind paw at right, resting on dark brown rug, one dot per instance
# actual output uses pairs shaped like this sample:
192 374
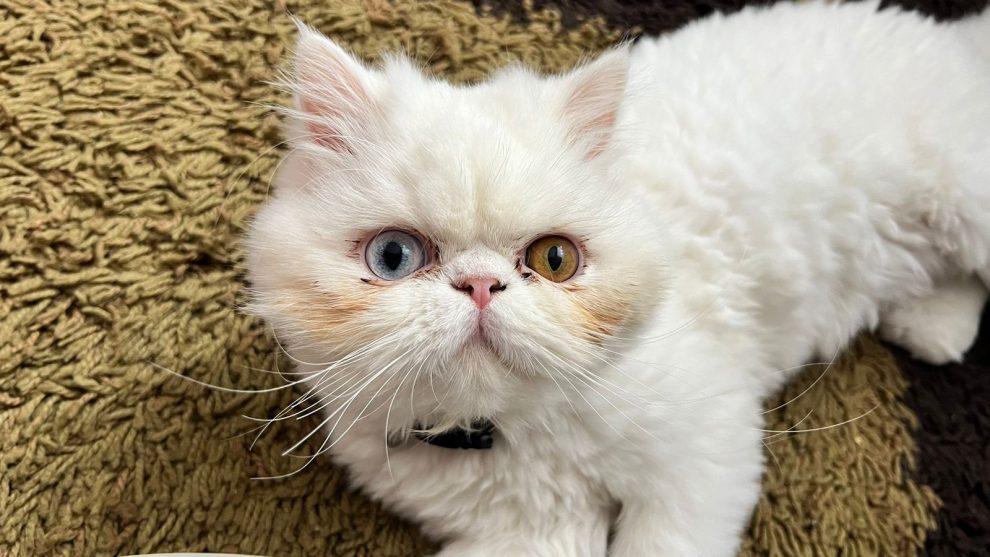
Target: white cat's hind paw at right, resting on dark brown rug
938 328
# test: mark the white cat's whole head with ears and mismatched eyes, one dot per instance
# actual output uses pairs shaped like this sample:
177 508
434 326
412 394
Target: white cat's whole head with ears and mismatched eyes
472 235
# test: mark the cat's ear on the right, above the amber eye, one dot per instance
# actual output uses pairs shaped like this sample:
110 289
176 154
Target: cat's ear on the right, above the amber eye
593 95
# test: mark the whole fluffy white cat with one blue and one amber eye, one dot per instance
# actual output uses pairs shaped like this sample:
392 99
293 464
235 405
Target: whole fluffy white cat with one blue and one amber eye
612 267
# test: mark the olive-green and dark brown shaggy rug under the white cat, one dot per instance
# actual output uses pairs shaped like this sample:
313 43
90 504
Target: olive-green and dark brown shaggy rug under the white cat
135 146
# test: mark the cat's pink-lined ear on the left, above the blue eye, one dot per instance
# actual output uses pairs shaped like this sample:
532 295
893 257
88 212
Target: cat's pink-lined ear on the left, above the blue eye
333 93
